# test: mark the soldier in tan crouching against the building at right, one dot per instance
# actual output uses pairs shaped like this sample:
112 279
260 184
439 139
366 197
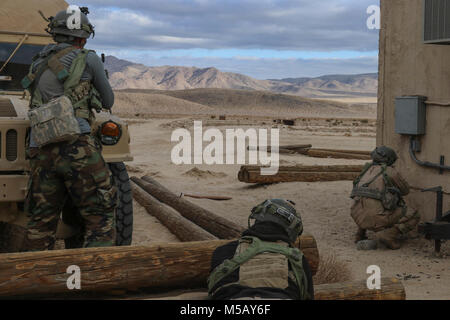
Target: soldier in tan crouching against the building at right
378 201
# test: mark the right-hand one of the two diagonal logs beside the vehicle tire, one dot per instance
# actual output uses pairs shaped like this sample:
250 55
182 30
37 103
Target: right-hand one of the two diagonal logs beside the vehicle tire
211 222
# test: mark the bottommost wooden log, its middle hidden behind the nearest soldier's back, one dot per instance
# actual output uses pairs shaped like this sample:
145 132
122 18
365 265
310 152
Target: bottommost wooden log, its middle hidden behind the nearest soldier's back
391 289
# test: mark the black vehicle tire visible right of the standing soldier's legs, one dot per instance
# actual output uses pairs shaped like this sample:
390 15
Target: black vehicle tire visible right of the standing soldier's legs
124 211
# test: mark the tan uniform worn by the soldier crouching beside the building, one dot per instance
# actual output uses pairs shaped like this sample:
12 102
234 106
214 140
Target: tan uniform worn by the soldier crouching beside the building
371 214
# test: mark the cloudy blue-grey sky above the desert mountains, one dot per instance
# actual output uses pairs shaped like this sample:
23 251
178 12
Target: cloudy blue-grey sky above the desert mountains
264 39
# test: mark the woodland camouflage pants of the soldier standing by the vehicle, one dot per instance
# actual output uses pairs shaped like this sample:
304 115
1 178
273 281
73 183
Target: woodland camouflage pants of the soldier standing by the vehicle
74 170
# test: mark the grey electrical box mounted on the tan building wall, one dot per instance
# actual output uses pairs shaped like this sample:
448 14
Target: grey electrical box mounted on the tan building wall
410 115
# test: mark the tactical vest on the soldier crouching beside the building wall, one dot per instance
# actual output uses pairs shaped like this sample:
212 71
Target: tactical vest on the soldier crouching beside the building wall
390 195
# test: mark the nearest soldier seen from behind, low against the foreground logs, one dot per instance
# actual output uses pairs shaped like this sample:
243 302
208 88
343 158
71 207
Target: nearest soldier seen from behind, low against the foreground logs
263 263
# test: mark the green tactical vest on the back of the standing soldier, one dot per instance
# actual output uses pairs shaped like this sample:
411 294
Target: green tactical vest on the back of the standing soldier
82 94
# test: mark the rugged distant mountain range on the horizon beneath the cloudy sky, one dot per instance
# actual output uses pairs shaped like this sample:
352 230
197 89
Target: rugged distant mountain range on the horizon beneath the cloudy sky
128 75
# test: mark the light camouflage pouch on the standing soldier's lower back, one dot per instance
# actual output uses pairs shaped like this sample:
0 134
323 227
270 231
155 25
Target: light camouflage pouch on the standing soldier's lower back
54 122
